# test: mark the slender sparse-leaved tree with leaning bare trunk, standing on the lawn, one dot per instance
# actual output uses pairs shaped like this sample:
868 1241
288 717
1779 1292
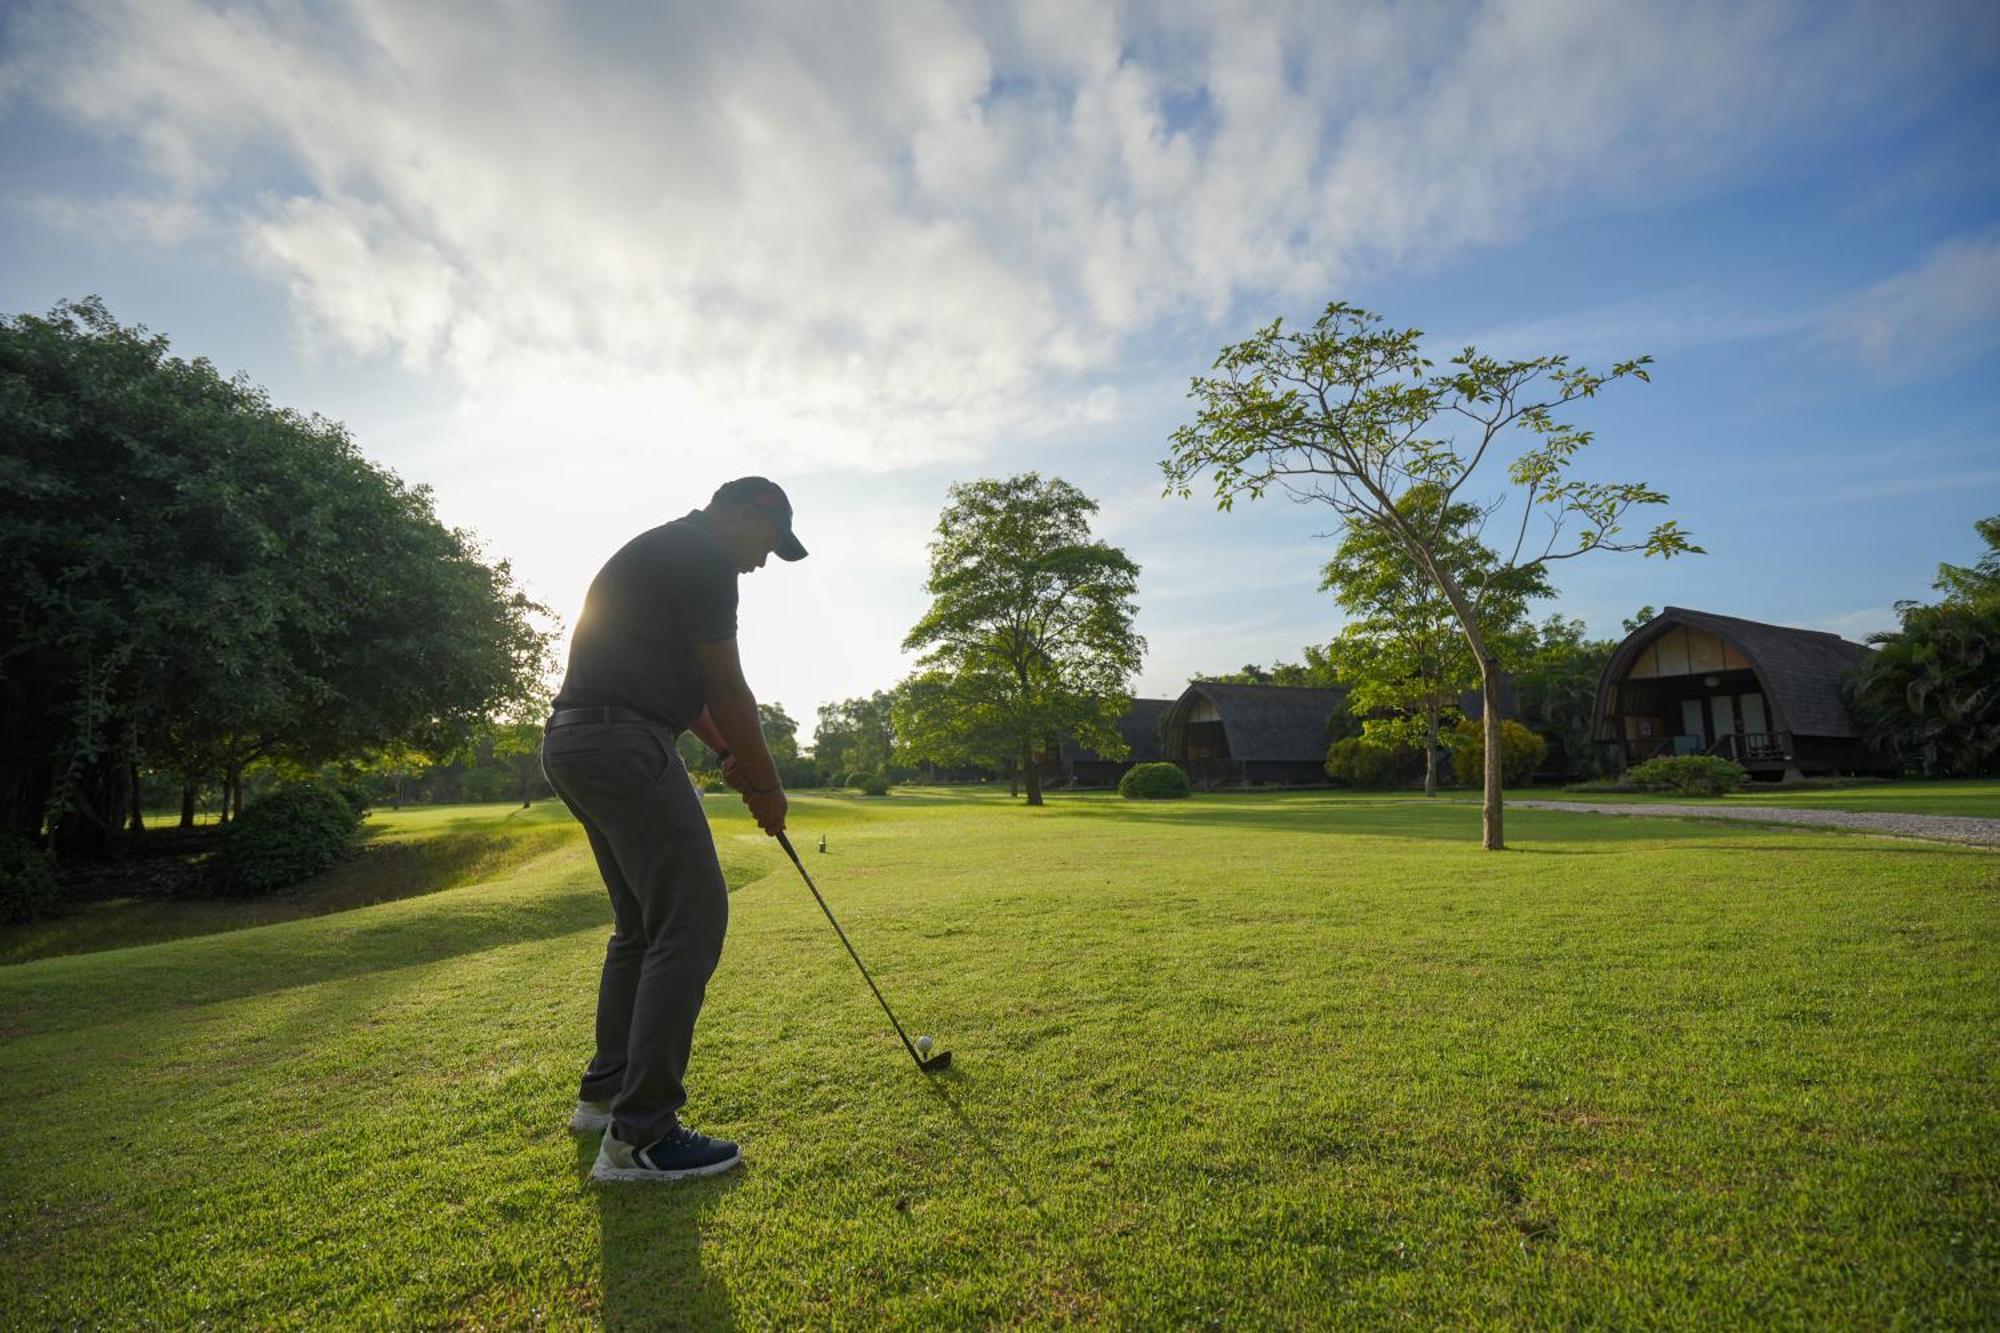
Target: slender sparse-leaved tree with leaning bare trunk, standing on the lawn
1351 415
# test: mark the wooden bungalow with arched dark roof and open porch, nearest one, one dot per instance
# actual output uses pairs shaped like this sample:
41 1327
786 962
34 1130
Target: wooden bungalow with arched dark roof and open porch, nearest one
1765 696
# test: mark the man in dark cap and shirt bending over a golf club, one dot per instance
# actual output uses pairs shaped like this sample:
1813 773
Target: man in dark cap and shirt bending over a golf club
653 655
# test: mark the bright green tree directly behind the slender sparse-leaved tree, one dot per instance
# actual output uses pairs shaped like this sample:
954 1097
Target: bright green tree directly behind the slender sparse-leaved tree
1403 653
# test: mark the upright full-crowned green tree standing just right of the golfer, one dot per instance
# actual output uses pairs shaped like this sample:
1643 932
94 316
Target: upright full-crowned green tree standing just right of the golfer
1031 619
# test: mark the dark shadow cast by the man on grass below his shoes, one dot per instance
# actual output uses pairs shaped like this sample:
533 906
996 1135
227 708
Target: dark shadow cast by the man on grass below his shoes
653 1250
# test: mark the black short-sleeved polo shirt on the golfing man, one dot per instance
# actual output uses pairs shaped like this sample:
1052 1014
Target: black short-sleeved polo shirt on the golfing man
667 591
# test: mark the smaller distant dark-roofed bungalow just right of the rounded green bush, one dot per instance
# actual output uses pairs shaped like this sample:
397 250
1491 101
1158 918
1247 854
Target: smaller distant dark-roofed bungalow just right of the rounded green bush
1251 734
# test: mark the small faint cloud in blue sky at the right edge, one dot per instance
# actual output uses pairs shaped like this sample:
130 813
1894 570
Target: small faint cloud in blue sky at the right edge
1935 317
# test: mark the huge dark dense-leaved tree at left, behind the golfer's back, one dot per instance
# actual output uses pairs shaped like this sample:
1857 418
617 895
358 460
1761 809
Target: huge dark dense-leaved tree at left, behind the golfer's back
195 579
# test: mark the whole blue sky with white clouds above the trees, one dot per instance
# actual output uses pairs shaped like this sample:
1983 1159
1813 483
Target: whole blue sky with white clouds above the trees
573 267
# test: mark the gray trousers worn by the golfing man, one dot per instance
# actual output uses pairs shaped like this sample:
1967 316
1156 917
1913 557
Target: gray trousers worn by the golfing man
627 786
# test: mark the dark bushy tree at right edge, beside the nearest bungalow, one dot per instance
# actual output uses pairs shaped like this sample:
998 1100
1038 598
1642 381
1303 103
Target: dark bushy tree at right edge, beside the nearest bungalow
1931 694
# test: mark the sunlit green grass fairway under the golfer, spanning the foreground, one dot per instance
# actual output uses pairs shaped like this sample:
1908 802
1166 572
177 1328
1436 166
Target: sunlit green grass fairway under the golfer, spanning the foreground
1235 1062
